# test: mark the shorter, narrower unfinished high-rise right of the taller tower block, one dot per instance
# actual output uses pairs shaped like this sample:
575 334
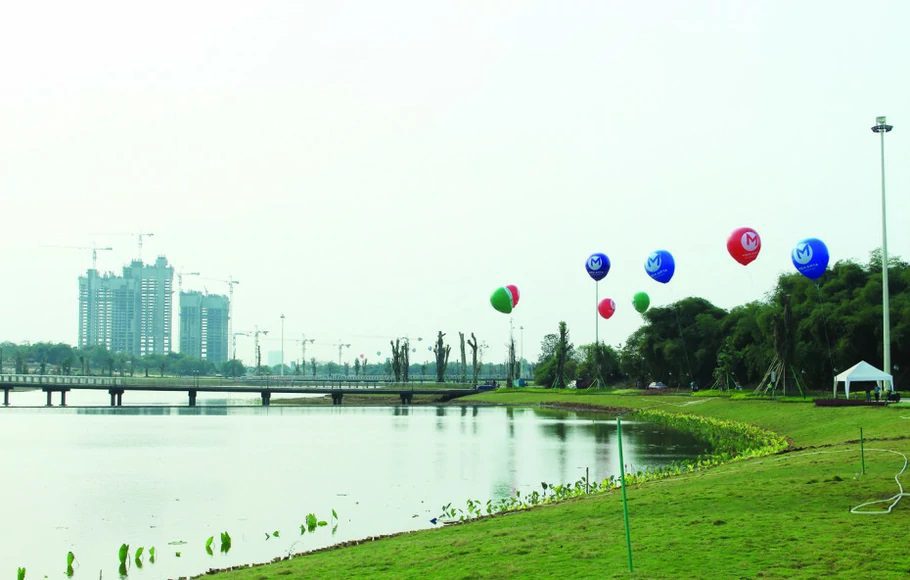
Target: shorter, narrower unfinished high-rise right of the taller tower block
204 326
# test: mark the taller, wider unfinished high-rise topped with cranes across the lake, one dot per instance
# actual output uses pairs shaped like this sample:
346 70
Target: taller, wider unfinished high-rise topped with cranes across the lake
129 313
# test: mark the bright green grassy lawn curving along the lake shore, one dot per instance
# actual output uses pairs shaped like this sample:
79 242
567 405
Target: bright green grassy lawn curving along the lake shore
782 516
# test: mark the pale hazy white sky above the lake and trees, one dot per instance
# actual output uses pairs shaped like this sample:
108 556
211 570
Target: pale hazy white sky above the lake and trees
376 169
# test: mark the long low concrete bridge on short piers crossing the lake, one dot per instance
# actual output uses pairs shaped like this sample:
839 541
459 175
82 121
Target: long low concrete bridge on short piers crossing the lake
265 387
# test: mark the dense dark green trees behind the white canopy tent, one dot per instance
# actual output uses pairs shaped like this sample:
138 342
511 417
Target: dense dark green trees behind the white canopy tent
810 330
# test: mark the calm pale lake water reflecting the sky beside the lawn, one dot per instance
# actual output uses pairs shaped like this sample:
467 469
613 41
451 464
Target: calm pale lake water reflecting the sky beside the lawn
89 479
